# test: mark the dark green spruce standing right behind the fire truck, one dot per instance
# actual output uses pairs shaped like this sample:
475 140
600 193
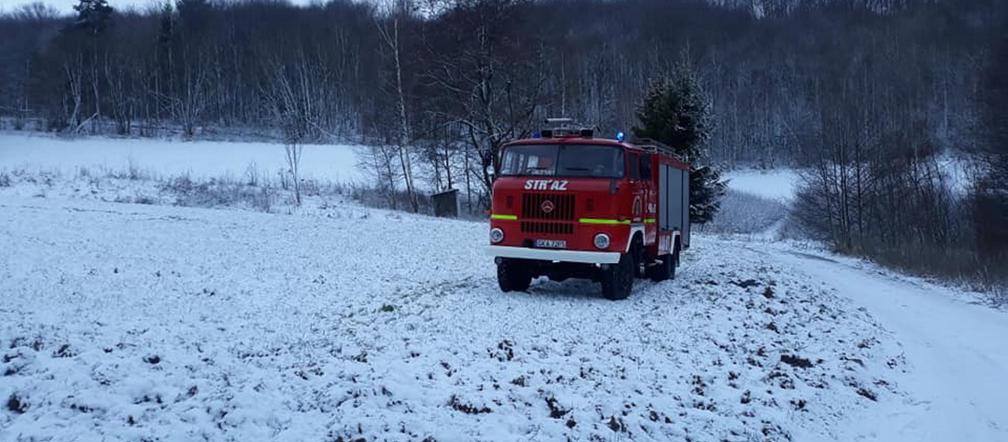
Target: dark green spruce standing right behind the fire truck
676 113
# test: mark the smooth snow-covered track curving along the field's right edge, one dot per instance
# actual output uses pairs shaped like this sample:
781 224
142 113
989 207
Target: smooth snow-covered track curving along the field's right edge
957 350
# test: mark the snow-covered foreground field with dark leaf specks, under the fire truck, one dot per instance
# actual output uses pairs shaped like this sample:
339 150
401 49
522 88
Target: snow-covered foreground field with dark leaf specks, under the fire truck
157 322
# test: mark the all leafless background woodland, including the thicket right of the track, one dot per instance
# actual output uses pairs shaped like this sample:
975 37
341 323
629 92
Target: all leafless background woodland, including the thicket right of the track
866 96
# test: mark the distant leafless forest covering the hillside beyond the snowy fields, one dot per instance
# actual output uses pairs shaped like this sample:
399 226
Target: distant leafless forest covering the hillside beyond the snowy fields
770 71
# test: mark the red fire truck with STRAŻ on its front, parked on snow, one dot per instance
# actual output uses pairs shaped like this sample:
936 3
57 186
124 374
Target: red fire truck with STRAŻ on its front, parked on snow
570 205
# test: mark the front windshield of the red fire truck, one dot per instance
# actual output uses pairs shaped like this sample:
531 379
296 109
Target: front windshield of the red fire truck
563 161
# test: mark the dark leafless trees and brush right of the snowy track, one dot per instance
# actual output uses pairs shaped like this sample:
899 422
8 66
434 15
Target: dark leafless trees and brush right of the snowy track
877 179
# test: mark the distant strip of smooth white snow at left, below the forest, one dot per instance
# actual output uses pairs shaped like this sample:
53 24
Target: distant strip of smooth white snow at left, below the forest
36 152
